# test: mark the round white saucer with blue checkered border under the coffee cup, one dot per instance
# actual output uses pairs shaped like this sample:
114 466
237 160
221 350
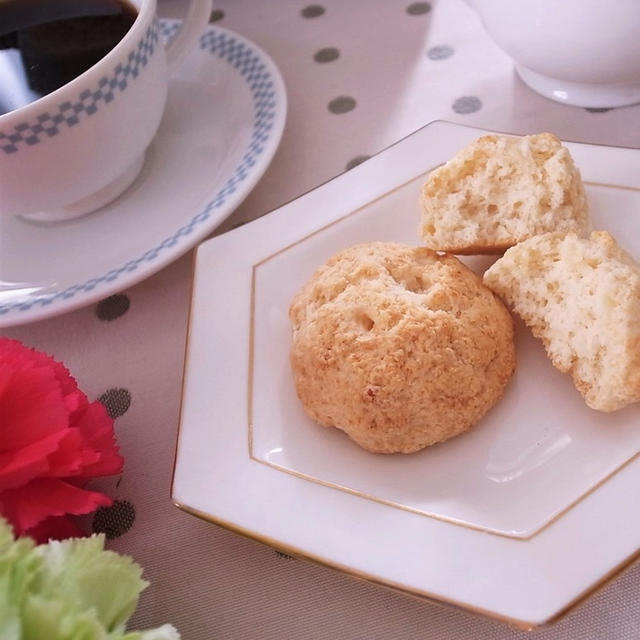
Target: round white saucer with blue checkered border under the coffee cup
224 118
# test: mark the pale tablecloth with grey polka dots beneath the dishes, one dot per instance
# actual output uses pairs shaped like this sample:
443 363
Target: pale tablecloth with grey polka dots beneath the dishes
360 75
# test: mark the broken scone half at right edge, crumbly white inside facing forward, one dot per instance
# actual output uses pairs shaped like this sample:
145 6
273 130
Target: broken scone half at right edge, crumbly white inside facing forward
581 296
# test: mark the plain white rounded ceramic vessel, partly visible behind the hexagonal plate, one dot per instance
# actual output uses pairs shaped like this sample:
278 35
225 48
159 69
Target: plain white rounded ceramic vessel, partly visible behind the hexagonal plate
580 52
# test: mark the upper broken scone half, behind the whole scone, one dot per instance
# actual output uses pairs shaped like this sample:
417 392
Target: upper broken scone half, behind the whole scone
499 191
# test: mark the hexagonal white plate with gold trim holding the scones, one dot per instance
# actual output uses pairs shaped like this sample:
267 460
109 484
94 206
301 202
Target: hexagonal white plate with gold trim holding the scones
519 518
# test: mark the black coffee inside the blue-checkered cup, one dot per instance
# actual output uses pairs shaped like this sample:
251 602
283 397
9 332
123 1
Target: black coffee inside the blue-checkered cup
58 40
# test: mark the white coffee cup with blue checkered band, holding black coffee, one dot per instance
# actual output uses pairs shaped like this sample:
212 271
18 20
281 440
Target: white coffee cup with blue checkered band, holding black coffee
79 147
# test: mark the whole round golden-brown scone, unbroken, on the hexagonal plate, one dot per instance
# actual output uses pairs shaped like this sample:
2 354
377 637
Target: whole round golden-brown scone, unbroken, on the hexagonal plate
398 346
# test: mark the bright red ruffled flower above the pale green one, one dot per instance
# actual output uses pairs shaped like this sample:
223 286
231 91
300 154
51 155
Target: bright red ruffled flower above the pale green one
52 441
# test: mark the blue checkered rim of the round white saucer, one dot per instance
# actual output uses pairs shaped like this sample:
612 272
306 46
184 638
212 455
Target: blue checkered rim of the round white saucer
236 184
